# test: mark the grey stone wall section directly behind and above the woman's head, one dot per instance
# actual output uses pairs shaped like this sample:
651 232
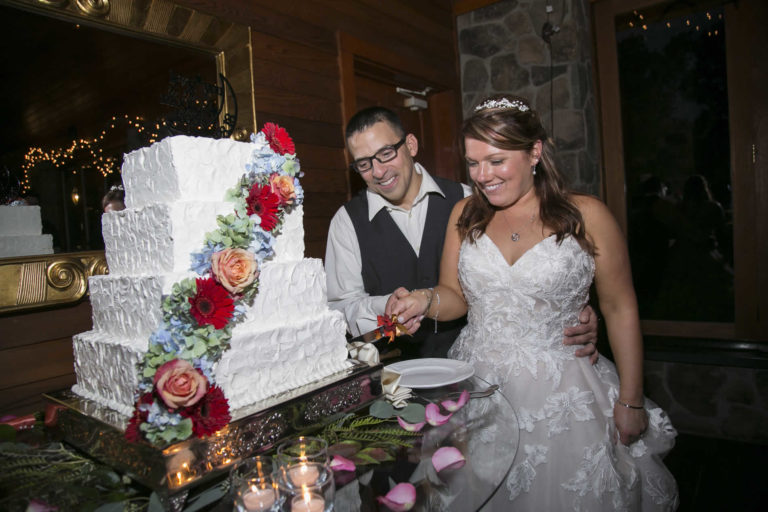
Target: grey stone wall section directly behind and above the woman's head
502 51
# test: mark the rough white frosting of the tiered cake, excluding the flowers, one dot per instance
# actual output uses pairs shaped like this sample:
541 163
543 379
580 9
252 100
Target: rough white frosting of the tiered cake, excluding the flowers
174 191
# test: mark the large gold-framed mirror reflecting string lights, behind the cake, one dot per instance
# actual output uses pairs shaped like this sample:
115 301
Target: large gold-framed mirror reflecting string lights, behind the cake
87 81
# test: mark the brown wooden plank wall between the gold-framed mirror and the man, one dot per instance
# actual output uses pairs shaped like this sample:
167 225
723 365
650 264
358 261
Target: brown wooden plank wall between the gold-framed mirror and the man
297 79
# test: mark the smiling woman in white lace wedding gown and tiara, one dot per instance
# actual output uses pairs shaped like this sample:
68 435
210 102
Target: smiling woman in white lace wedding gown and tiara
519 258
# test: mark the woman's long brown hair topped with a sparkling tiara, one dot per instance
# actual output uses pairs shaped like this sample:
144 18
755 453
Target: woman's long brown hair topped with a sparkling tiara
508 122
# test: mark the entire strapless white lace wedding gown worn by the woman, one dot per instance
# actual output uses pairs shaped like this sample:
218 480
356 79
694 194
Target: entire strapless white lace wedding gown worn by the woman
567 458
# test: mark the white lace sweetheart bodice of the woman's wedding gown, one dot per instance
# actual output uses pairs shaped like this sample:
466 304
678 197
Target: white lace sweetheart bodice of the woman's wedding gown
526 304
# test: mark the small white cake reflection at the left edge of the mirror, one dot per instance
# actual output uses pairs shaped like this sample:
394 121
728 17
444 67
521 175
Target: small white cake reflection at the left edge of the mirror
21 232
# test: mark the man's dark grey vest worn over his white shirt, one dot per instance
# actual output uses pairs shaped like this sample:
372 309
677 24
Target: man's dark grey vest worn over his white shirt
388 261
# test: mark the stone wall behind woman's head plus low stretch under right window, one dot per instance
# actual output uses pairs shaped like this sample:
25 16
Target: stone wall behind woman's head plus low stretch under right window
502 51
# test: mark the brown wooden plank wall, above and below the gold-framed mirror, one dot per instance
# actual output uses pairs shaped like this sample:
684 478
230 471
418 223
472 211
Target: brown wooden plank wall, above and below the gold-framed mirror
296 84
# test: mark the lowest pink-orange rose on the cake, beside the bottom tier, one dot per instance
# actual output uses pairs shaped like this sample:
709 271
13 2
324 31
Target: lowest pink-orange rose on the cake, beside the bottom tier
180 384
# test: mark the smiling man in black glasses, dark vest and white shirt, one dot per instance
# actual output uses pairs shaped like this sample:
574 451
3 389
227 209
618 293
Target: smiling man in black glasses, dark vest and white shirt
391 234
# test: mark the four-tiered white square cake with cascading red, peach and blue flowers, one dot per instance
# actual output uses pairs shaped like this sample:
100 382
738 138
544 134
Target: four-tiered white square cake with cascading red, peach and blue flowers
210 305
